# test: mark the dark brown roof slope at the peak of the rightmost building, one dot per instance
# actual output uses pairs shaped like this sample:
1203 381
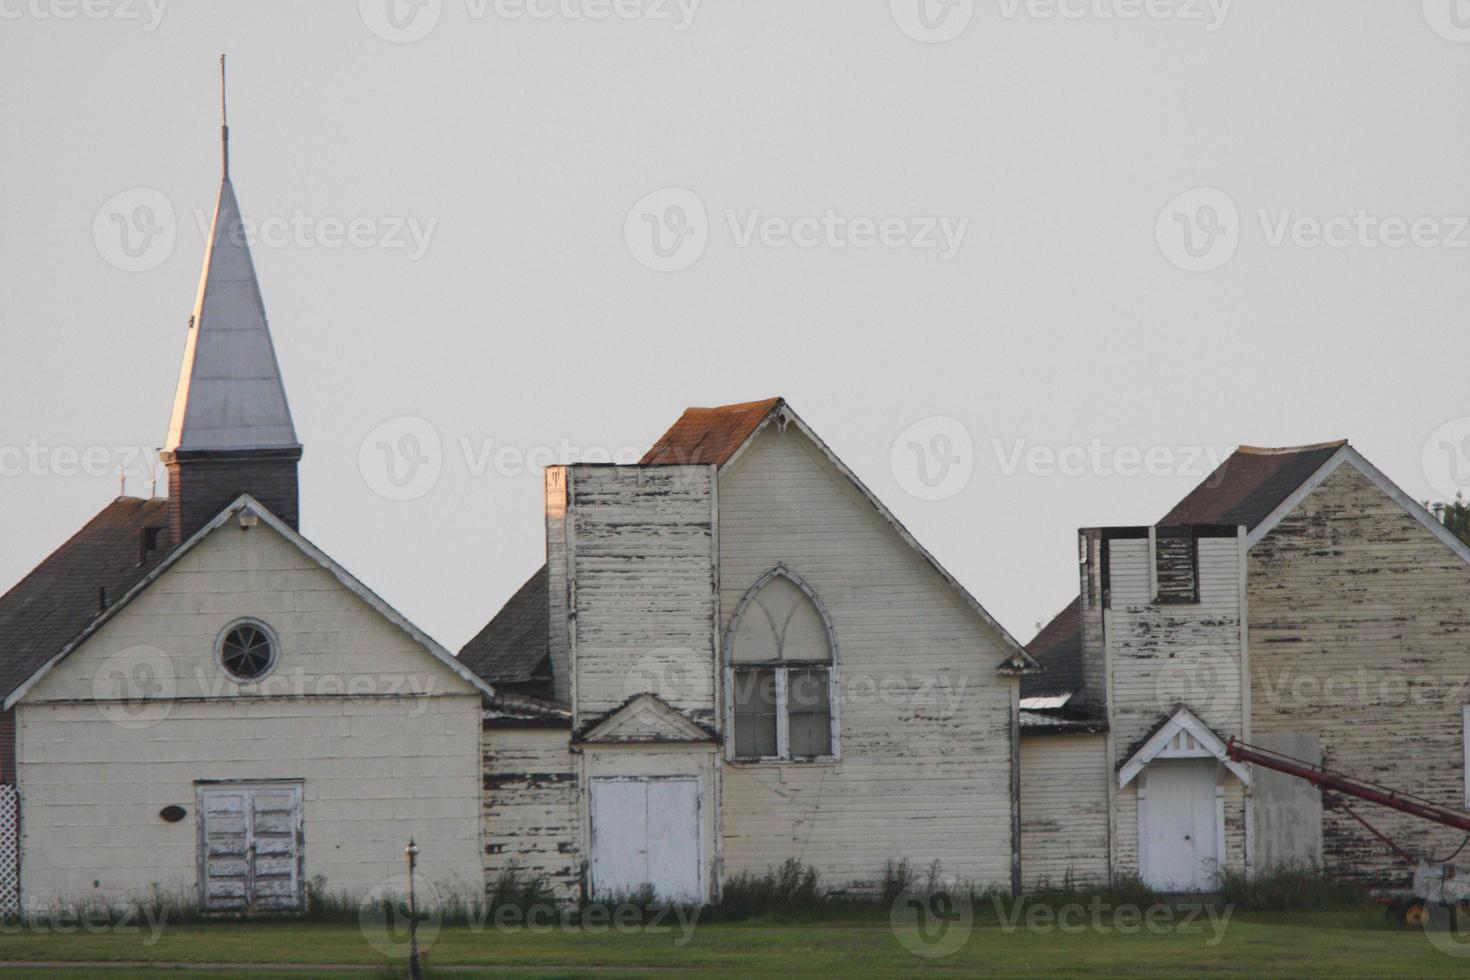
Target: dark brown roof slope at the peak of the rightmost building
1250 486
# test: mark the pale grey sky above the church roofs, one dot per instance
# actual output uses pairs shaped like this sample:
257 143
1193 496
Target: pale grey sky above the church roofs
1024 265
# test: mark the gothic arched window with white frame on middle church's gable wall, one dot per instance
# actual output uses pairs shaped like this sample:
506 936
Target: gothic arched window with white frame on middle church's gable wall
781 656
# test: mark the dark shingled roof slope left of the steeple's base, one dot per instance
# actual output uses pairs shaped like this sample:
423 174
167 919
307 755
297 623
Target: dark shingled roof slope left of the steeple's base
62 596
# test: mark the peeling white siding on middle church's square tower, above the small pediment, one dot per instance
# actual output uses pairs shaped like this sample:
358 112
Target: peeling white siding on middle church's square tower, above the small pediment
643 581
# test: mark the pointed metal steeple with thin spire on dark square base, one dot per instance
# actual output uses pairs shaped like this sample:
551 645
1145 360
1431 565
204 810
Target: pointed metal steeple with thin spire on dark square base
232 430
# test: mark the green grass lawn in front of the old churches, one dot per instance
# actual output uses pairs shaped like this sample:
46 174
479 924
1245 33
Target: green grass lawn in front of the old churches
1340 944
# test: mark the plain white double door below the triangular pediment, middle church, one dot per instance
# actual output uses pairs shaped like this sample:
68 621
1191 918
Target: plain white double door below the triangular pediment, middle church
648 832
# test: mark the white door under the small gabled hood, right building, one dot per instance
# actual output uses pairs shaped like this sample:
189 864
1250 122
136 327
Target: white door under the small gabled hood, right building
1178 835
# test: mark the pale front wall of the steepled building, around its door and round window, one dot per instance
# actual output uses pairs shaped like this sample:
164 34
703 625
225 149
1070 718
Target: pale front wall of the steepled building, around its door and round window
377 769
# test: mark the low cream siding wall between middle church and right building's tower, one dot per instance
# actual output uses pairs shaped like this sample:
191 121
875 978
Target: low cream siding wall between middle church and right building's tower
1064 810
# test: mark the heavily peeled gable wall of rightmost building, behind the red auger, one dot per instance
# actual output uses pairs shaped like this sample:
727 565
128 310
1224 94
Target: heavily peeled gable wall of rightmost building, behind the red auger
1360 633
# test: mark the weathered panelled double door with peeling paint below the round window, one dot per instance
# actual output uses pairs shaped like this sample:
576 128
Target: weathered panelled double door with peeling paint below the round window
251 847
